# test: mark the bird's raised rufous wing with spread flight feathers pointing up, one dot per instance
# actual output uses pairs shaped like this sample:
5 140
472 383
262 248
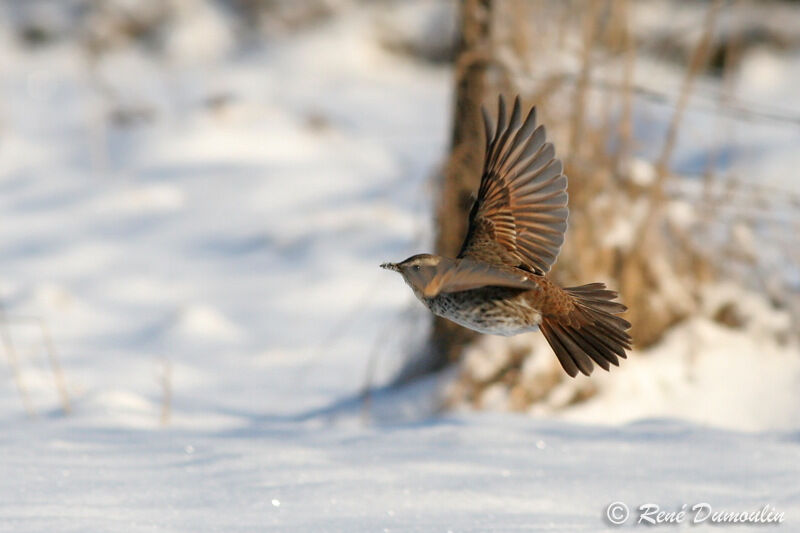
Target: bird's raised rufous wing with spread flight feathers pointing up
520 215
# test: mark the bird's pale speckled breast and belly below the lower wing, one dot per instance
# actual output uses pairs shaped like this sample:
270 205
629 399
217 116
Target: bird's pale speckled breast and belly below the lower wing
491 310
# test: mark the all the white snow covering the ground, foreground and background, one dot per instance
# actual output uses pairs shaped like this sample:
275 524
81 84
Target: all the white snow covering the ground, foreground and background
201 231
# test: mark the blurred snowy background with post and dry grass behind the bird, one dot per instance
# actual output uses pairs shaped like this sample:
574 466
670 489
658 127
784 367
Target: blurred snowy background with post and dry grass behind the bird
195 196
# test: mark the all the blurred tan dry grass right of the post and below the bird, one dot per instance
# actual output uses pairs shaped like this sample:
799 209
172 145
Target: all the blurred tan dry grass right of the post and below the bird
623 226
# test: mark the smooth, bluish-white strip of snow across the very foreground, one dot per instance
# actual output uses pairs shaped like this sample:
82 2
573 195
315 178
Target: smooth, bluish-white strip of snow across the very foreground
484 472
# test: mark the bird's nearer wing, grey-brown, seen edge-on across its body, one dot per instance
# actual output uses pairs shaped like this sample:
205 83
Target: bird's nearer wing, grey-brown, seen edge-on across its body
466 274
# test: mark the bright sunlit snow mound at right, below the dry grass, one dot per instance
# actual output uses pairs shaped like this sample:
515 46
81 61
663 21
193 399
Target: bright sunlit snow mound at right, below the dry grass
705 373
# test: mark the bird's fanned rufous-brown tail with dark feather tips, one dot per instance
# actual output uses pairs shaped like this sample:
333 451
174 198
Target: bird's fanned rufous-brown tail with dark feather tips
590 331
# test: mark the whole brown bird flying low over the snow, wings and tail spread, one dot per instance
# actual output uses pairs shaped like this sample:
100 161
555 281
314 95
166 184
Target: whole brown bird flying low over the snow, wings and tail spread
498 284
